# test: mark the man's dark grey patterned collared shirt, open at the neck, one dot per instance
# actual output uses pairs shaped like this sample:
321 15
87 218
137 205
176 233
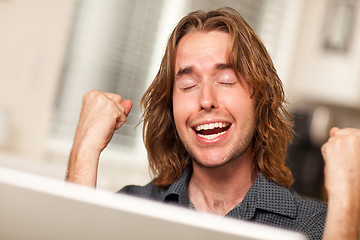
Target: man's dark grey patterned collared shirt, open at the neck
266 202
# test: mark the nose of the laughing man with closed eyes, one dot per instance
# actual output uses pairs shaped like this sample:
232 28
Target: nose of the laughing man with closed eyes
208 97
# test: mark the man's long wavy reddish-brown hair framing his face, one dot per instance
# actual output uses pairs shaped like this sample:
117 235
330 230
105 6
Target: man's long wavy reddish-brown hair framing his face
249 58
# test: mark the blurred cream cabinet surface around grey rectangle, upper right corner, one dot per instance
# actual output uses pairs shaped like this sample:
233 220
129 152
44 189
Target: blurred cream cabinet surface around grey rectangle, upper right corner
318 75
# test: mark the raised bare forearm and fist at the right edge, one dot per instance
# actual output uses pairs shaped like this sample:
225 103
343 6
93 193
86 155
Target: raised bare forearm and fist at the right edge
342 182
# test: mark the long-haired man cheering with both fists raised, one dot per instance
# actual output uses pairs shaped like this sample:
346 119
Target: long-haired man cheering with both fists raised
216 132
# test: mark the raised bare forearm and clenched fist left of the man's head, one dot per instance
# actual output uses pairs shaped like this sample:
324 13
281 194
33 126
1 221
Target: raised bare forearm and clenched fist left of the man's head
101 114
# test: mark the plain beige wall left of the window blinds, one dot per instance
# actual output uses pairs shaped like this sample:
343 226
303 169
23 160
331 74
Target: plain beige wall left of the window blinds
33 38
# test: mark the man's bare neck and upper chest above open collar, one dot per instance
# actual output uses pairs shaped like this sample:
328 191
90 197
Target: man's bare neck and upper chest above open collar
218 190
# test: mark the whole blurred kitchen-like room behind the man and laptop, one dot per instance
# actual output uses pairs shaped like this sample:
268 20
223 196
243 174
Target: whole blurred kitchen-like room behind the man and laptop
54 51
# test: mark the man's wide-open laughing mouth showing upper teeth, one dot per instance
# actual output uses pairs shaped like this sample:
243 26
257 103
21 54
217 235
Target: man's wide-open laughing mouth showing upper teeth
212 130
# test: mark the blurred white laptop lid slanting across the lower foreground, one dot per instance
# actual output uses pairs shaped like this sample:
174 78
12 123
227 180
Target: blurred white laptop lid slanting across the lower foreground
34 207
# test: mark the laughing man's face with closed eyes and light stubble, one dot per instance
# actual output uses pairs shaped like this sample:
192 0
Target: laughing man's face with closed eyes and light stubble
213 111
